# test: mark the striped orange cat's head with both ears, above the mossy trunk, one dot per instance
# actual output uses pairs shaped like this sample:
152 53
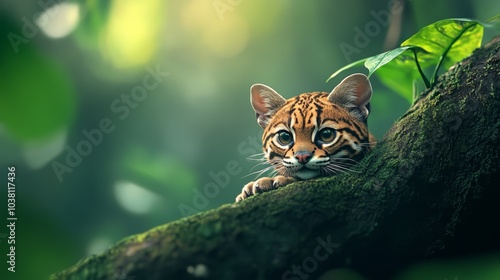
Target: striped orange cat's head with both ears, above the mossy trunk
314 134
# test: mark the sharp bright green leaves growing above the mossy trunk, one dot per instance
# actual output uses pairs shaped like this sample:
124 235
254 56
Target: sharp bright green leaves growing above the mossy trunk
442 43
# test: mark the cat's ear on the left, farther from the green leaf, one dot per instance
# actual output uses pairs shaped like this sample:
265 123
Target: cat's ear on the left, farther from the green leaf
265 102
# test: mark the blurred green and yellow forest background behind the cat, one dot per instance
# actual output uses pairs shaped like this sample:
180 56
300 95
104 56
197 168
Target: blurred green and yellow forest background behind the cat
118 114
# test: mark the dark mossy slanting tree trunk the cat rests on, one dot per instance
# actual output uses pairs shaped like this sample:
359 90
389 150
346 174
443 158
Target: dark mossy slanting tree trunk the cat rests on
429 189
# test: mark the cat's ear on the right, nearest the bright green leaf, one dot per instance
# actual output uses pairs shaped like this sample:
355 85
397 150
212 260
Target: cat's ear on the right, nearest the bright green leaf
354 92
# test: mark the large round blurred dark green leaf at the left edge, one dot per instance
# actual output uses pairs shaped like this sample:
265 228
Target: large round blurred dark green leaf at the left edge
36 101
